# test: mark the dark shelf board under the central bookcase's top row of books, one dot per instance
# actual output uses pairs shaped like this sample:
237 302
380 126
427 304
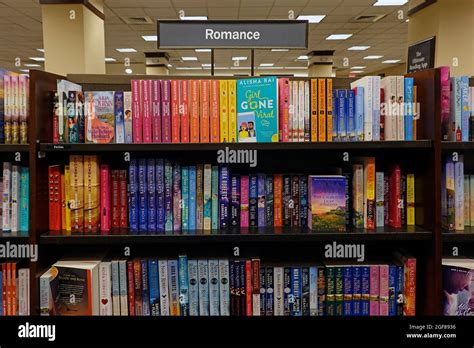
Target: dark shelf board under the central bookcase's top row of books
418 144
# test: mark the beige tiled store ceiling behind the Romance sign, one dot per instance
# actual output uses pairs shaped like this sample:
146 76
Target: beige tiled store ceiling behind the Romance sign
21 31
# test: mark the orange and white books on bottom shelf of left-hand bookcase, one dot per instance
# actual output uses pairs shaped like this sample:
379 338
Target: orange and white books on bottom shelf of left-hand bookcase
14 289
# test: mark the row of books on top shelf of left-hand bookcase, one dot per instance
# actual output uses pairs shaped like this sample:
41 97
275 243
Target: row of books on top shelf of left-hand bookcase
14 107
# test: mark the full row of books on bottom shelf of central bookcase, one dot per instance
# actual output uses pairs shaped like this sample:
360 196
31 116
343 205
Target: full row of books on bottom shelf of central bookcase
223 287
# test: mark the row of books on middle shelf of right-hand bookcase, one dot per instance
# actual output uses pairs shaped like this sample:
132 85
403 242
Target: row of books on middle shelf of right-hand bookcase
457 195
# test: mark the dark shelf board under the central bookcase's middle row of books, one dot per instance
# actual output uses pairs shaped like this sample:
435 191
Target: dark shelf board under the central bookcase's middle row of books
267 235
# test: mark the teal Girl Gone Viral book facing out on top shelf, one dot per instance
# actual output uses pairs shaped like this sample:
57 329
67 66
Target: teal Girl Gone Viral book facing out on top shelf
257 109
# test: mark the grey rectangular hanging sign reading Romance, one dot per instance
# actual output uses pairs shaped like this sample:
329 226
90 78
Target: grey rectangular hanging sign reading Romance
233 34
